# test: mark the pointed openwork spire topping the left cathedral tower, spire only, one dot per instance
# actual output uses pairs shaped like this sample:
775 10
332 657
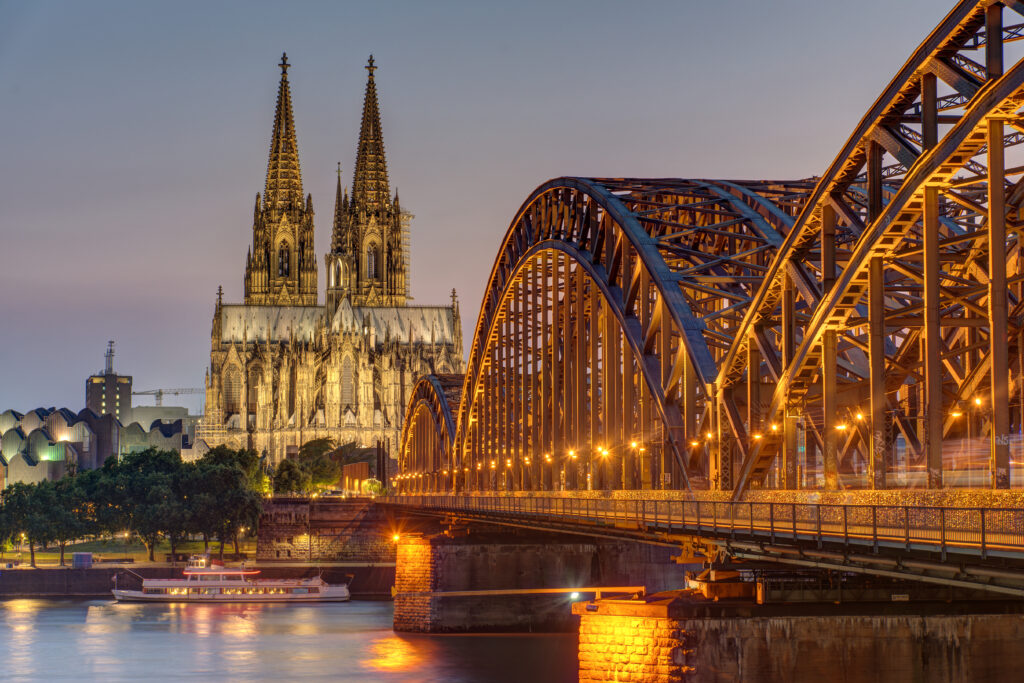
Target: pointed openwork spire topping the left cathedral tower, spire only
284 180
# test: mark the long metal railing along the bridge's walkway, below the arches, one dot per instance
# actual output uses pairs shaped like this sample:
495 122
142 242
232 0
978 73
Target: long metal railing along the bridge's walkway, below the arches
975 531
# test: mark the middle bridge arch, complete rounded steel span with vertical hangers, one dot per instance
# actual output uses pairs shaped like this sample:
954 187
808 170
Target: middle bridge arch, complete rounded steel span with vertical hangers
598 344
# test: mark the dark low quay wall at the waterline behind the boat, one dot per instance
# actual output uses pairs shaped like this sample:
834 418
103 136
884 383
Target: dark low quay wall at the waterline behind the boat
370 581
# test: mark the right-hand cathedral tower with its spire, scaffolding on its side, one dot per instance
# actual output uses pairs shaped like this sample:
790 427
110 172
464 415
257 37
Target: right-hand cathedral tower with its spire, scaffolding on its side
369 258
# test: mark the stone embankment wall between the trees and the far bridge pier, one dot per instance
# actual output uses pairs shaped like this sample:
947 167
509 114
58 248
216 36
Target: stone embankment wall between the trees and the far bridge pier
301 530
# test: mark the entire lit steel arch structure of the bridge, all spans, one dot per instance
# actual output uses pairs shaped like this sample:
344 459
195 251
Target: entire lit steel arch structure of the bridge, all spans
863 329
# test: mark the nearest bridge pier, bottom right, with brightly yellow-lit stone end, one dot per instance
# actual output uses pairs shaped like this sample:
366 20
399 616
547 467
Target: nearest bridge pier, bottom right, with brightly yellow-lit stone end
678 636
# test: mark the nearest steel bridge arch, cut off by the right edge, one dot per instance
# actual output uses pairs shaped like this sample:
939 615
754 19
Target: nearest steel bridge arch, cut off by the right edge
898 358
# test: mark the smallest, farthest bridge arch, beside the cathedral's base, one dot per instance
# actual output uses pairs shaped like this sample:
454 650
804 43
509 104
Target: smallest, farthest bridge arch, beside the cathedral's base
429 431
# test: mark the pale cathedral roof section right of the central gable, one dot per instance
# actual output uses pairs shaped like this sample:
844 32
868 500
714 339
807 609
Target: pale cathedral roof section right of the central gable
405 324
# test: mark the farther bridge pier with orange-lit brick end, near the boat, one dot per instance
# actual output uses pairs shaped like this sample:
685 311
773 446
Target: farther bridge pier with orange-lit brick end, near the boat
436 572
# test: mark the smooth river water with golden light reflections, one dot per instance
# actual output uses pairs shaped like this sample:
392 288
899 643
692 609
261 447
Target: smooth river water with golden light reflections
76 641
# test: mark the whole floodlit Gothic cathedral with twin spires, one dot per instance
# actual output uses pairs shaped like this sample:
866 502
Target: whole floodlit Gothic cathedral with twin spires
285 370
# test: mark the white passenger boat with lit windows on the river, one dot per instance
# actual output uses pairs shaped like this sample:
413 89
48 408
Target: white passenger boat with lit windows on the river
207 582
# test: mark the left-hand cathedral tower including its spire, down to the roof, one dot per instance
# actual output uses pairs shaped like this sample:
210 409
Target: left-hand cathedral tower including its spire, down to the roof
281 267
